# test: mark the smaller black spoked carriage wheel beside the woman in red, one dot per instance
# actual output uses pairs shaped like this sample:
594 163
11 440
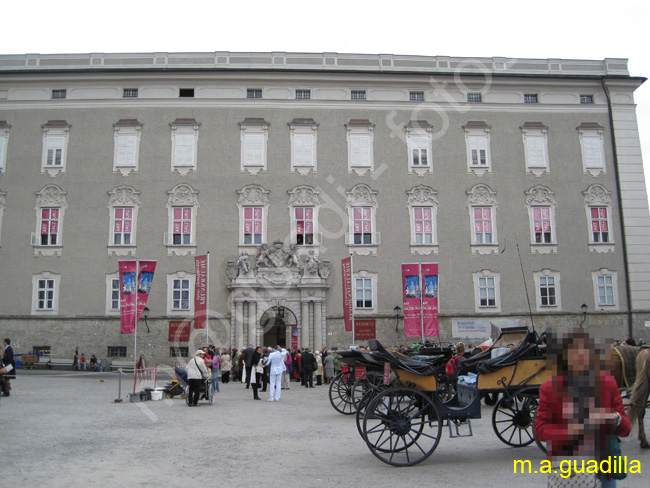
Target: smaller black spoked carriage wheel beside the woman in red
513 418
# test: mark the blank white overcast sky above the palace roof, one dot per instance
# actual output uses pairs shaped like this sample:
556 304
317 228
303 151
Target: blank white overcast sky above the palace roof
548 29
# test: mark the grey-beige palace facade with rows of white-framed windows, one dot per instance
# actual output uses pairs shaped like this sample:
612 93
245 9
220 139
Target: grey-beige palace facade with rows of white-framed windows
505 172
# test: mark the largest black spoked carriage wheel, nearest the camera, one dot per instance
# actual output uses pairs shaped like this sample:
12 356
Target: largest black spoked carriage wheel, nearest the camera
402 426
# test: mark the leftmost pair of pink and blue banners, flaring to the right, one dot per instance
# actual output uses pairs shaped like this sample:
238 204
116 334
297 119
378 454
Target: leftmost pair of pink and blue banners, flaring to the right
130 287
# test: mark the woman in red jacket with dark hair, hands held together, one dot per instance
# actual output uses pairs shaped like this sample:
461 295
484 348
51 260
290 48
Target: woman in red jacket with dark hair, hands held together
579 409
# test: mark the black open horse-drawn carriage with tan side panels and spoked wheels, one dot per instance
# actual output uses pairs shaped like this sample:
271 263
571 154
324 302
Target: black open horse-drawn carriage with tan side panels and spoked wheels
402 404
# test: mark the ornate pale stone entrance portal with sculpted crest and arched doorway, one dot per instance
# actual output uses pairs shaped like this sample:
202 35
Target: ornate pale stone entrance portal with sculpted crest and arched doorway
276 276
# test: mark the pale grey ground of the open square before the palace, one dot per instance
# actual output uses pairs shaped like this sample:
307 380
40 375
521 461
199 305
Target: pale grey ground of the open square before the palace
63 428
